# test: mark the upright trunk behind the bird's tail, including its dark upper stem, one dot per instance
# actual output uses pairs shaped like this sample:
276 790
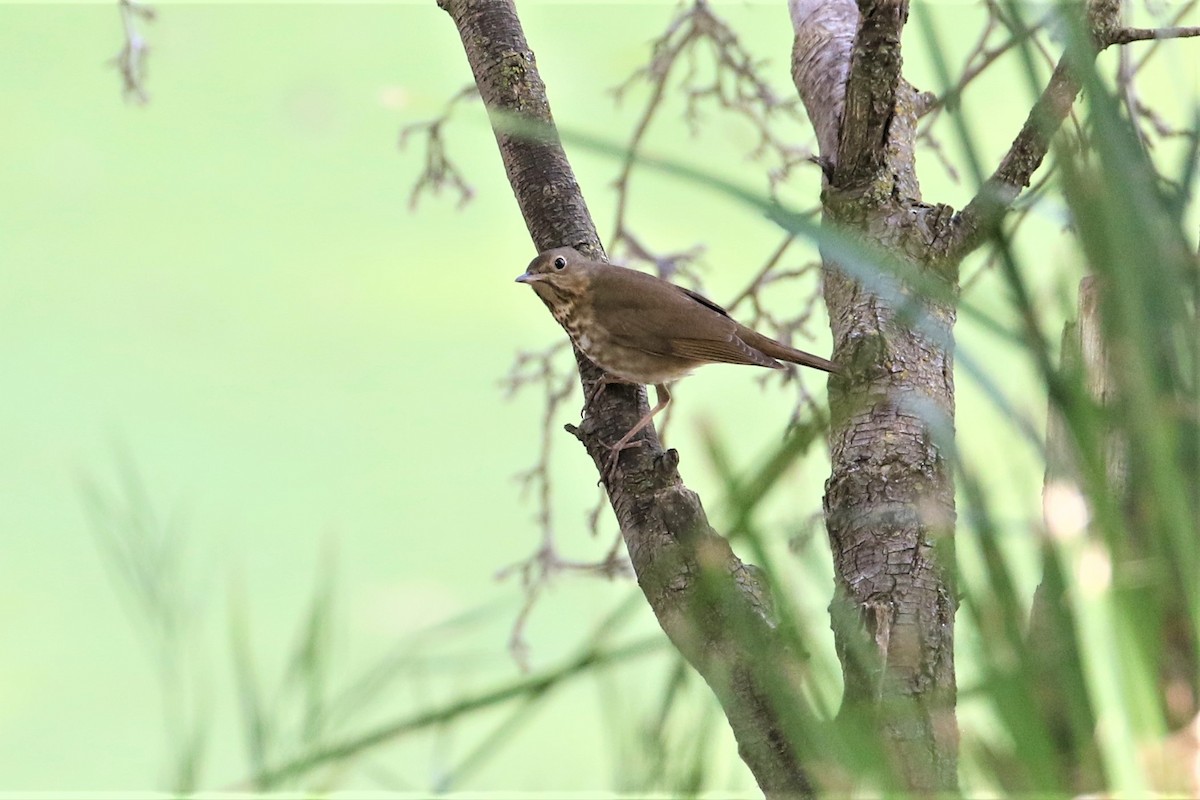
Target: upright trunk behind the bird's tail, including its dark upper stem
890 501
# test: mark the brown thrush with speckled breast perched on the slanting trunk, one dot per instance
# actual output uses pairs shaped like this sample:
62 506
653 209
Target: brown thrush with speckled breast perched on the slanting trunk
641 329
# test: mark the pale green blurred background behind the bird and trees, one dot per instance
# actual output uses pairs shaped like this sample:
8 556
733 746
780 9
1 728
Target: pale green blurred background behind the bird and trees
227 286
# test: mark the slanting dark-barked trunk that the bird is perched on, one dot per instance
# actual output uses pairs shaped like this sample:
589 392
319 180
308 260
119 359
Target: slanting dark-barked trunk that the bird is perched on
709 603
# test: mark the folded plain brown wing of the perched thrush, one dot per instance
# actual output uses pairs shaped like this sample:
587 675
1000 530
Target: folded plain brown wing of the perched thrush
651 315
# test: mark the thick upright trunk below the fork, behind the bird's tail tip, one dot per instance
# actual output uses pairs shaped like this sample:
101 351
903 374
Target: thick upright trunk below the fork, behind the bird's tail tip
890 510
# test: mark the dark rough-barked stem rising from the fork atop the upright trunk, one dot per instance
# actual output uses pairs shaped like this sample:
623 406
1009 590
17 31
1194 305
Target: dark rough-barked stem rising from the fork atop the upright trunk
871 92
